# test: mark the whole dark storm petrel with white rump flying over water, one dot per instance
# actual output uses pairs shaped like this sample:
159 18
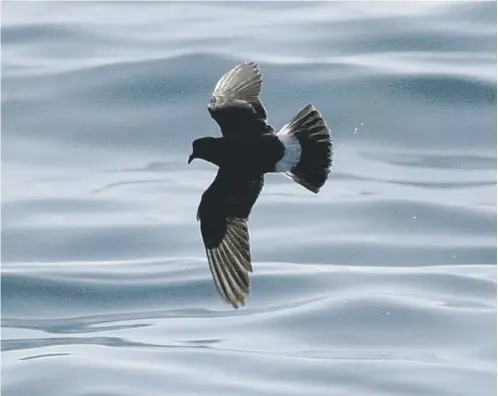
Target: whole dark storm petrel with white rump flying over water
248 149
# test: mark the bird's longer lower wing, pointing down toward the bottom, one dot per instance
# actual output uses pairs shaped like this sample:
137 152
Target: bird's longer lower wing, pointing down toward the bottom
223 213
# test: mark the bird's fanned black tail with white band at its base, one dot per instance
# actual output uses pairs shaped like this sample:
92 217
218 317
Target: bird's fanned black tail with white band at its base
308 149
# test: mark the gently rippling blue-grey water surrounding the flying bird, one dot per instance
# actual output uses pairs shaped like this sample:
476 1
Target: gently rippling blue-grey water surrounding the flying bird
383 284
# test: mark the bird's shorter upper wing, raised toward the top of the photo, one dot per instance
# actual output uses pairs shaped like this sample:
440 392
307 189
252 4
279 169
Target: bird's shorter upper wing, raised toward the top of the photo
235 104
